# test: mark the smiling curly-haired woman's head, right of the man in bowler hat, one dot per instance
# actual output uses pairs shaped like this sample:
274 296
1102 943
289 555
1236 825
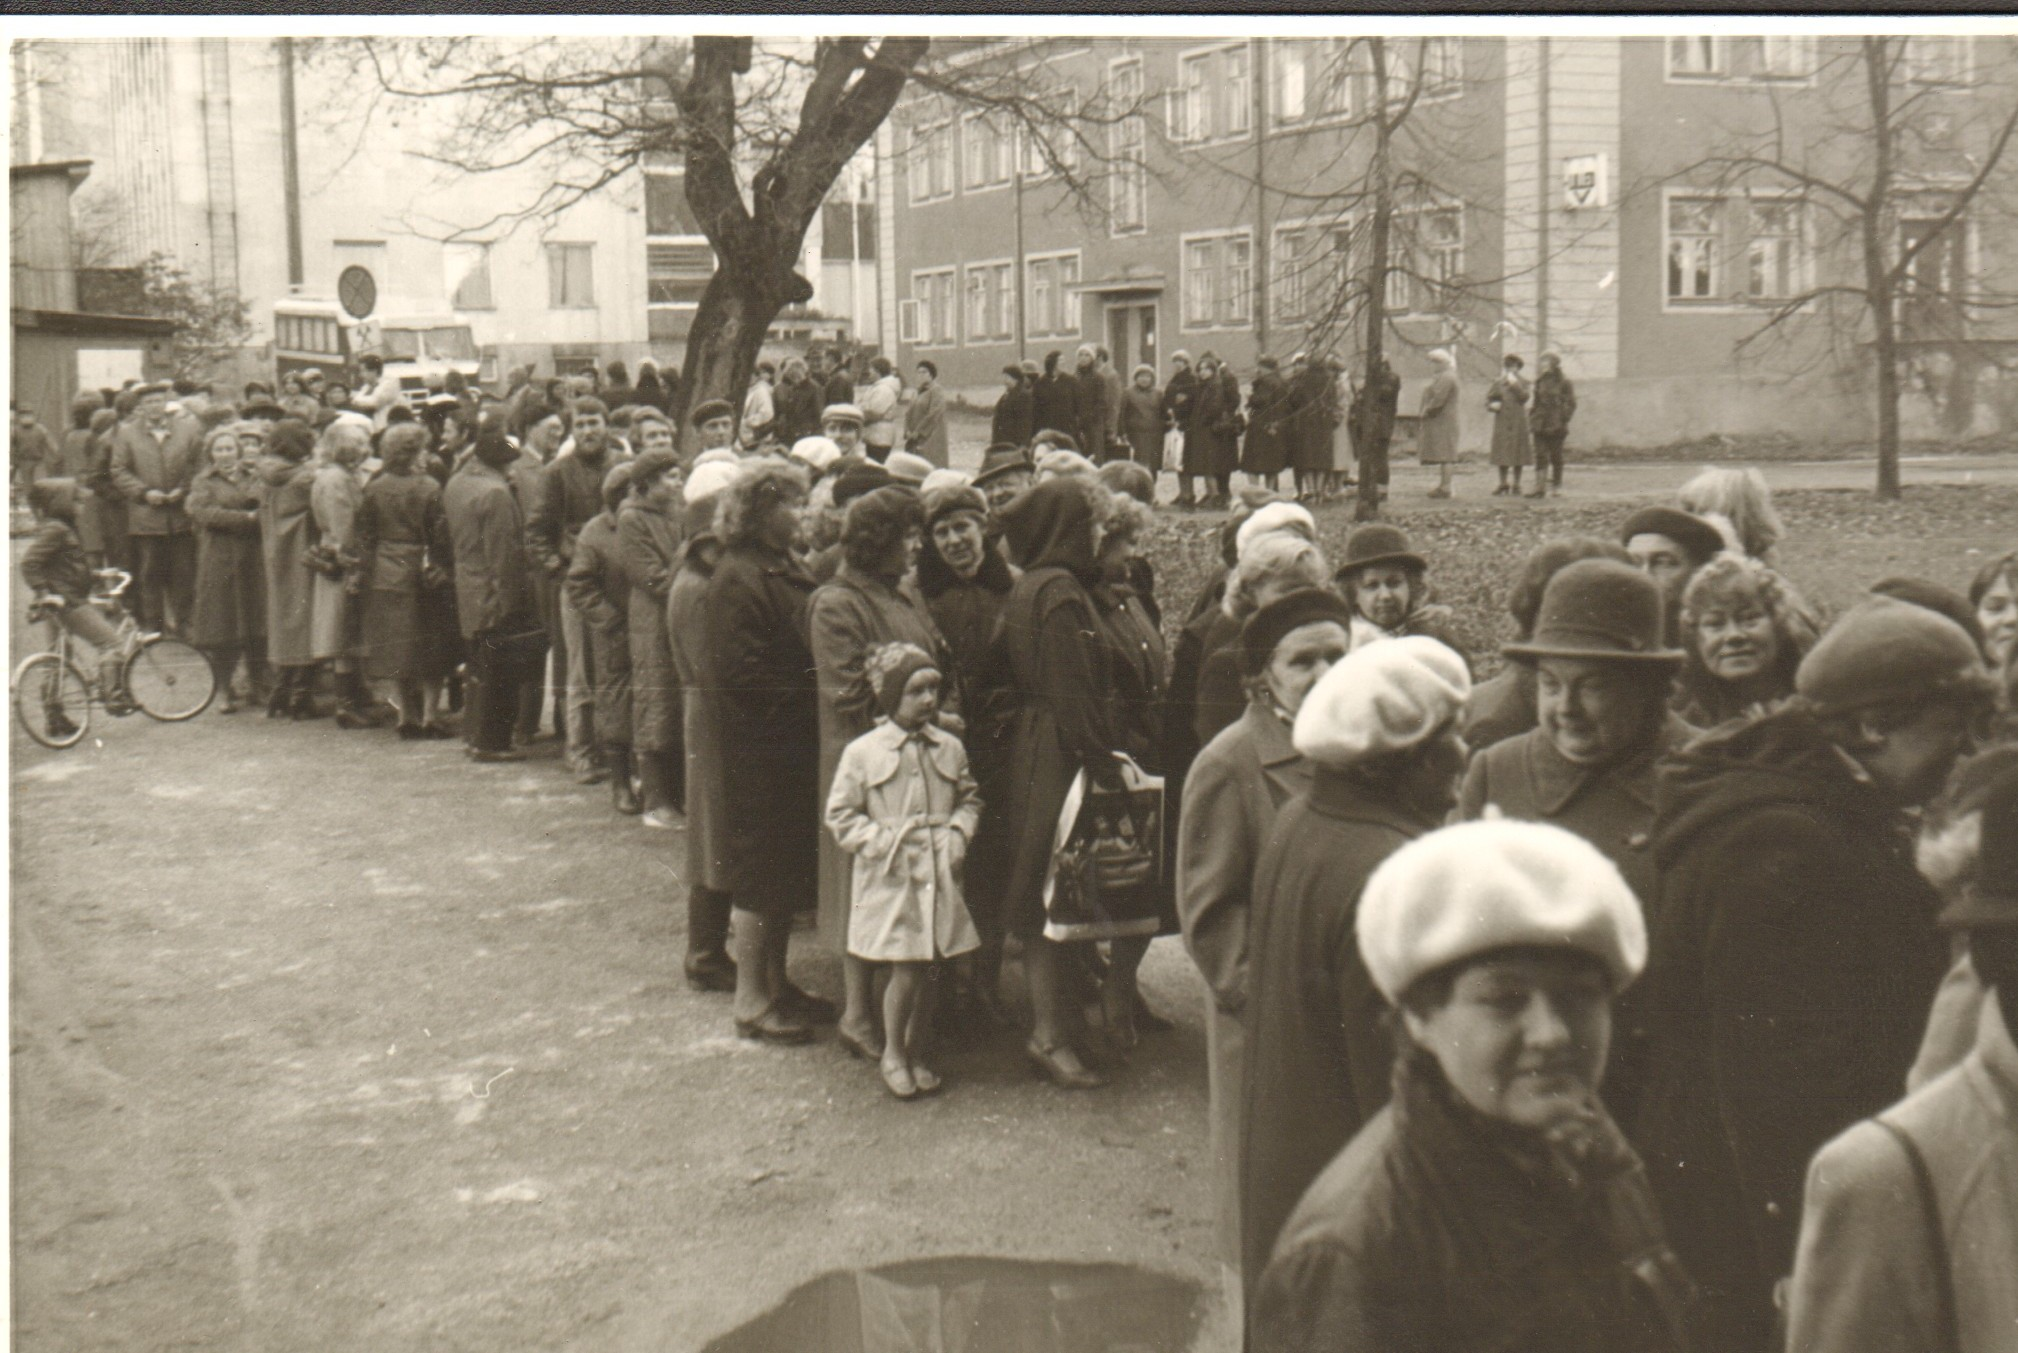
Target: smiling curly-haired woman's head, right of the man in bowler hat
1745 629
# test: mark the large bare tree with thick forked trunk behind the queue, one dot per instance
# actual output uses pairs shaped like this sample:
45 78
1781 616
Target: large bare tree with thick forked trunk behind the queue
764 132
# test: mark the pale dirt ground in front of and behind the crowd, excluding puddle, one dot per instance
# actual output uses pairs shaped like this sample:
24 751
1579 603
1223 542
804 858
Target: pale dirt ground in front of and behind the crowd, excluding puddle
326 1041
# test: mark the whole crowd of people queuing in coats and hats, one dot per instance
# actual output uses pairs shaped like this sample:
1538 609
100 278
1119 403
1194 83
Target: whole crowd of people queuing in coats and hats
1571 1009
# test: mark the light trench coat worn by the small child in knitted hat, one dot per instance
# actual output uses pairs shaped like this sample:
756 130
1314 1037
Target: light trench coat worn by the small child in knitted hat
905 807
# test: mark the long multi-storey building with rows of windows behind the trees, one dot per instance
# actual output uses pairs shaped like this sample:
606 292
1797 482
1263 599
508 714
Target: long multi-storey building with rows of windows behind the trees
1571 195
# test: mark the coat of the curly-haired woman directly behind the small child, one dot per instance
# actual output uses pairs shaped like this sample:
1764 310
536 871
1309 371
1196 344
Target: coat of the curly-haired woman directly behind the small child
847 619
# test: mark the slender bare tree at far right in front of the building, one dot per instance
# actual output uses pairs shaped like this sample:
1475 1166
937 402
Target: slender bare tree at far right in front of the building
1890 154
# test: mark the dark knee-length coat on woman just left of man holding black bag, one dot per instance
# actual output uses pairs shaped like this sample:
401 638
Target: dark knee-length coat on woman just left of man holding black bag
401 532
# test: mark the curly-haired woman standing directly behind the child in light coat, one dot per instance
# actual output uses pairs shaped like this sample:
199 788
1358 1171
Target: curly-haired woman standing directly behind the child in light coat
869 605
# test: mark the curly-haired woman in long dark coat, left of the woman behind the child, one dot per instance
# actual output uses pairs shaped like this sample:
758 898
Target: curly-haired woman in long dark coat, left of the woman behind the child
770 724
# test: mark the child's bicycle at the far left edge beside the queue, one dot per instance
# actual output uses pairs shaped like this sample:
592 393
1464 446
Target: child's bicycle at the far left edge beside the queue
160 675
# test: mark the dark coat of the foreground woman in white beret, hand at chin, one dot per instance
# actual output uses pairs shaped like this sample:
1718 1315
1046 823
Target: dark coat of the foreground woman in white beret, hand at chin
1440 1231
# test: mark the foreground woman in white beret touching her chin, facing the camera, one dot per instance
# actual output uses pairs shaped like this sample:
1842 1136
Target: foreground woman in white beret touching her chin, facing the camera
1492 1205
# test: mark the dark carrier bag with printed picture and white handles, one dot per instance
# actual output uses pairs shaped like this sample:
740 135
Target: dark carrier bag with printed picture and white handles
1105 879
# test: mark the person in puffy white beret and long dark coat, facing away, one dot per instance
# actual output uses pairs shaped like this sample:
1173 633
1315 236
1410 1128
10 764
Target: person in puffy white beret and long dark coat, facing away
1381 734
